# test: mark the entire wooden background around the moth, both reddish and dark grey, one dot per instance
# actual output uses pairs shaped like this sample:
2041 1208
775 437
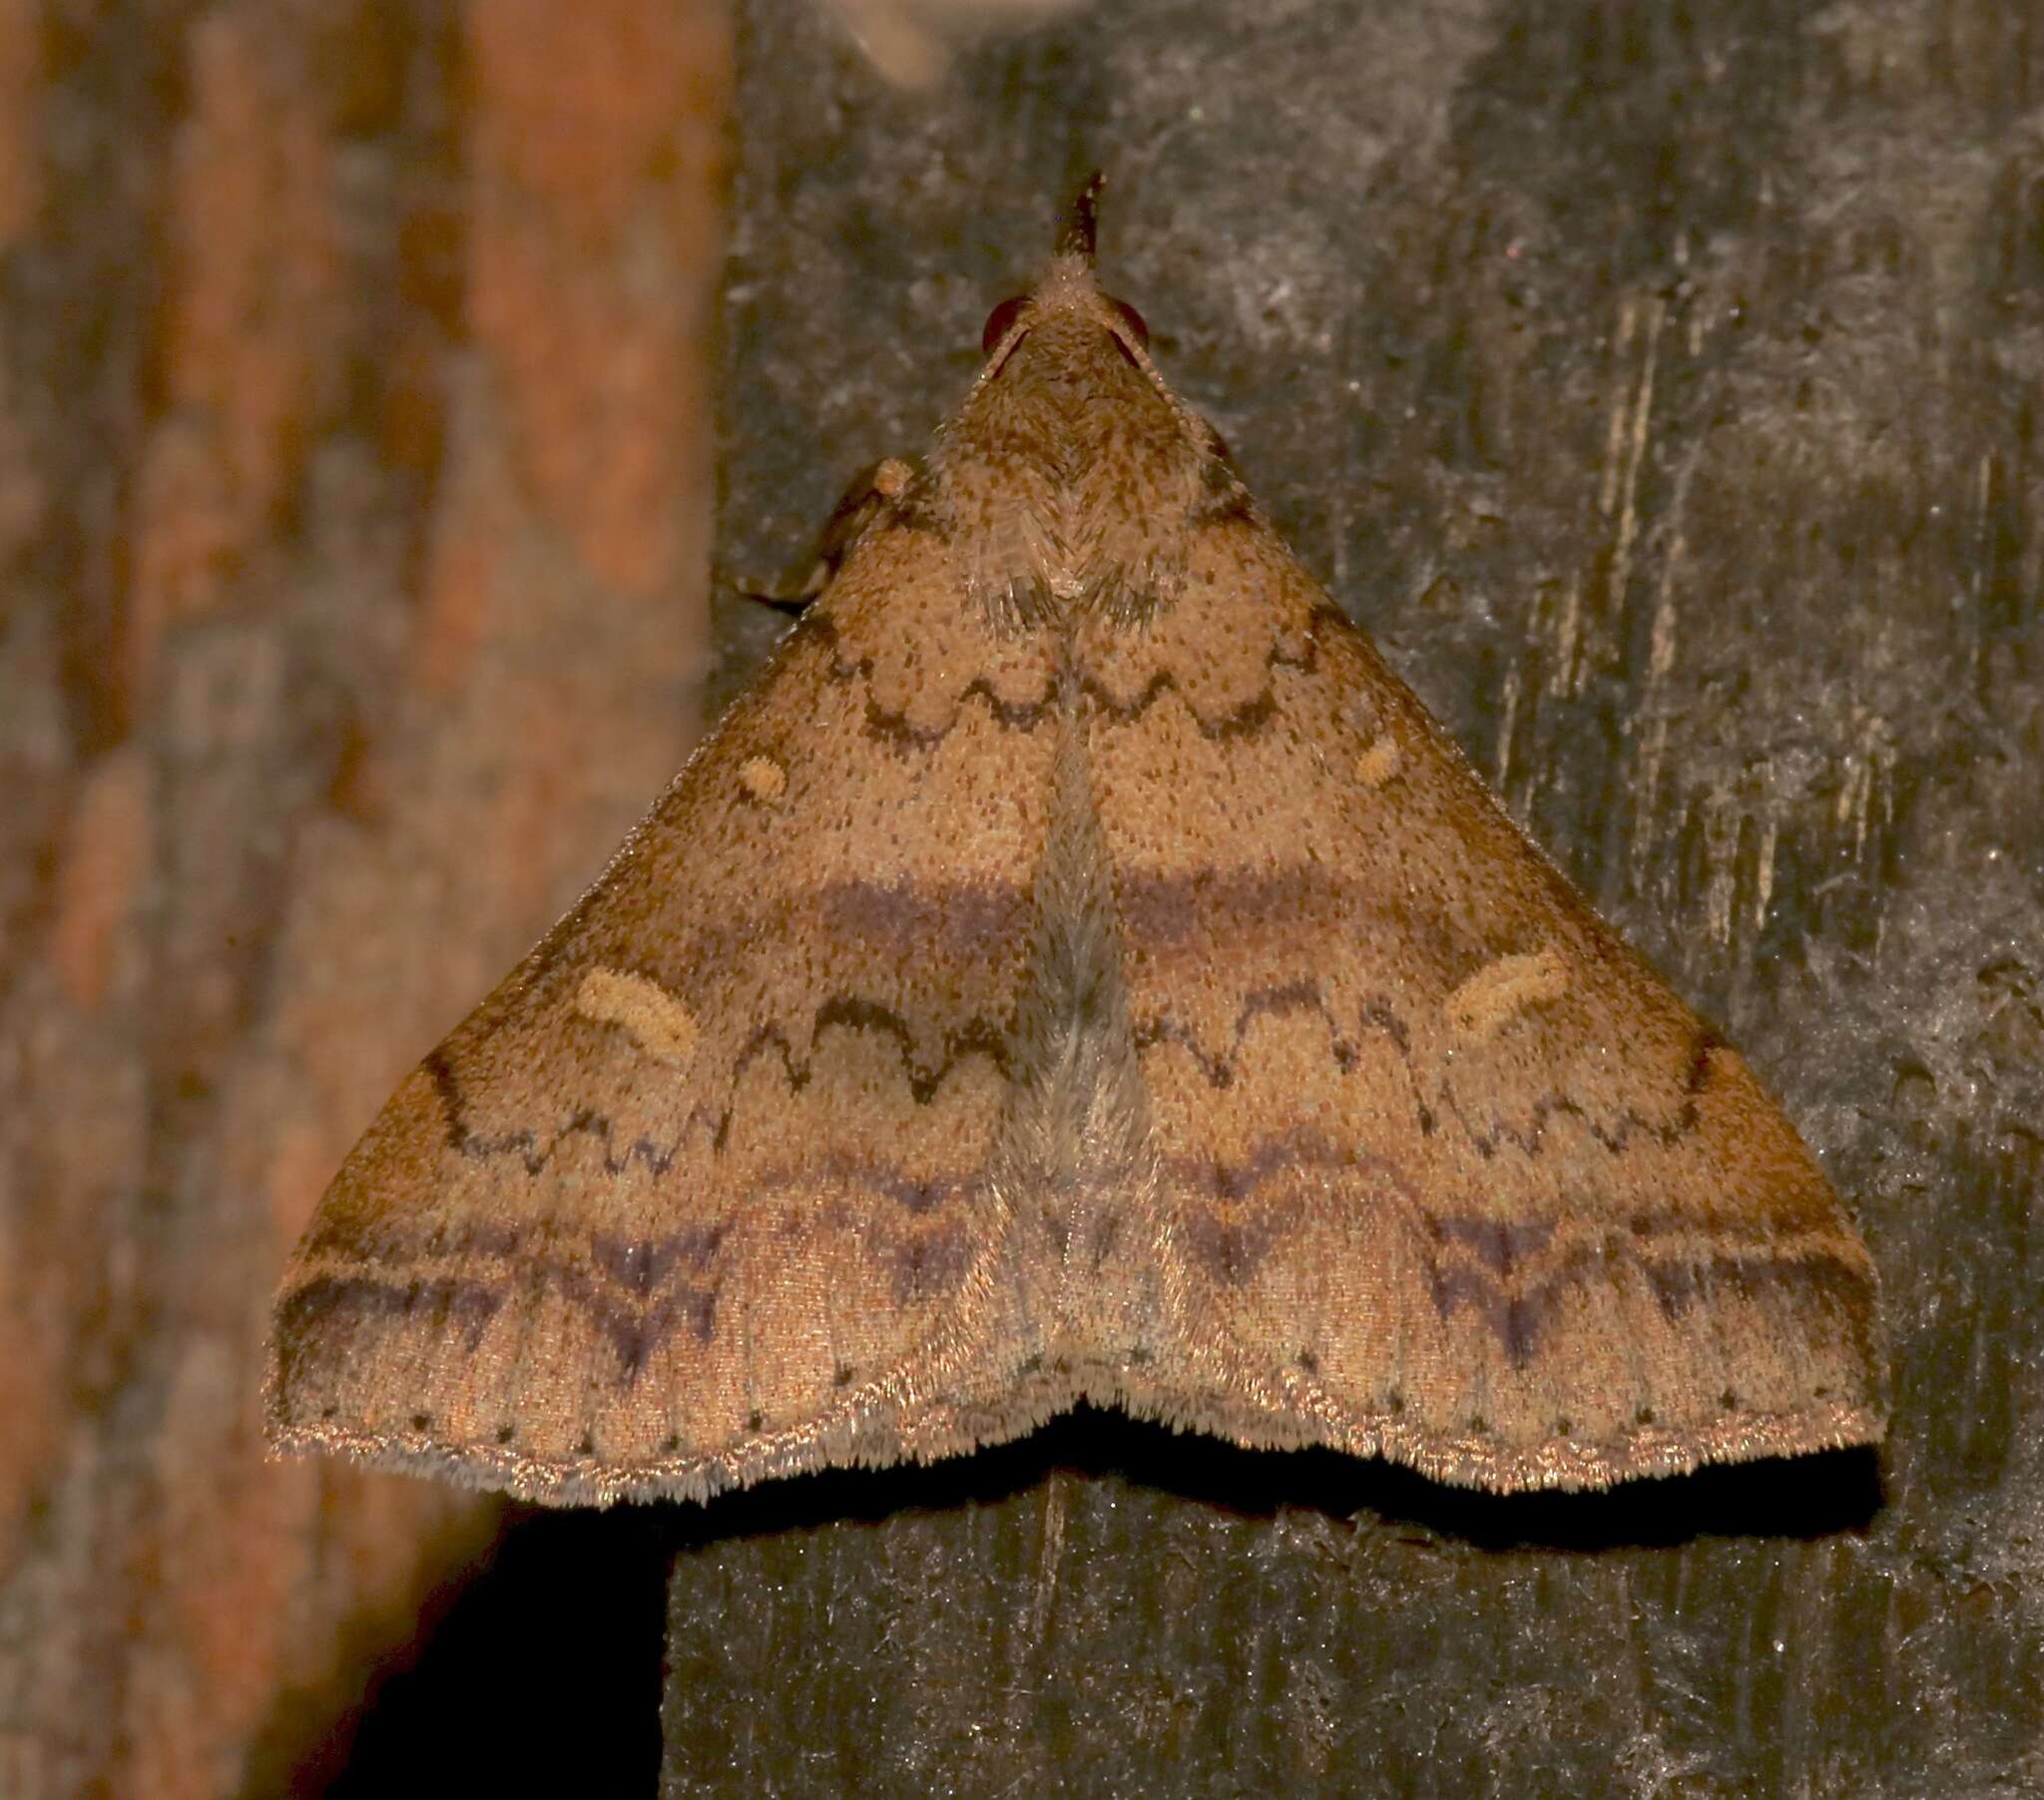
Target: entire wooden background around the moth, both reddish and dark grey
1657 383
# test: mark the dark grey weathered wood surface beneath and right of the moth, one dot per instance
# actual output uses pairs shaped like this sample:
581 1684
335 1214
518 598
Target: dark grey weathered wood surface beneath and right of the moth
1661 387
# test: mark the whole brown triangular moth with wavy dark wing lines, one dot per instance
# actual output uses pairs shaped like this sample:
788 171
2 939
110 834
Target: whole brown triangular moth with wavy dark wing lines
1076 969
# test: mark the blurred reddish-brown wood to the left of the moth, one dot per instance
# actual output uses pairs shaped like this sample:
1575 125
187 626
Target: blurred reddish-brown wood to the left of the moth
355 514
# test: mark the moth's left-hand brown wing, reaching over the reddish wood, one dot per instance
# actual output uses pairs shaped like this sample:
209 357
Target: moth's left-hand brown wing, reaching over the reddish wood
702 1192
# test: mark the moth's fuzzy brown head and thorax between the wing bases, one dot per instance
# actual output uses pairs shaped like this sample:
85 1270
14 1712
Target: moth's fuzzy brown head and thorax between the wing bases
1072 477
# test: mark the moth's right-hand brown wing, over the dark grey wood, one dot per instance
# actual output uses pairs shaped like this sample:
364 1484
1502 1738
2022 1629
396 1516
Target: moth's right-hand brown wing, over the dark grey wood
1450 1172
